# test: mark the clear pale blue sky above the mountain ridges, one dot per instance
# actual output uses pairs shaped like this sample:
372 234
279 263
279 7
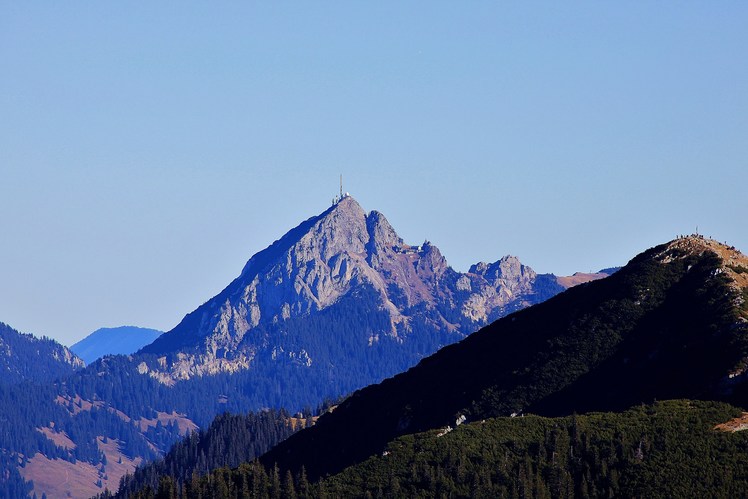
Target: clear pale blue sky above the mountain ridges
148 149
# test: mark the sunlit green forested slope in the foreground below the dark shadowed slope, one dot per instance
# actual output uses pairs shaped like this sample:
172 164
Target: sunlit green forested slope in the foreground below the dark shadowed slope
677 448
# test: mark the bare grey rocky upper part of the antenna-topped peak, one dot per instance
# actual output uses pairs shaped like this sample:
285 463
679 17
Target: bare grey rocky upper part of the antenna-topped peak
324 259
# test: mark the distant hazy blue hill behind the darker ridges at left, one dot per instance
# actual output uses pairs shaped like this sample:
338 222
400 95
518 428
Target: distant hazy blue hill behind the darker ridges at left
113 340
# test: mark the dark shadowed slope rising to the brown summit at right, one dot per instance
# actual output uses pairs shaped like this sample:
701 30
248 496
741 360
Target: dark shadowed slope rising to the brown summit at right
670 324
